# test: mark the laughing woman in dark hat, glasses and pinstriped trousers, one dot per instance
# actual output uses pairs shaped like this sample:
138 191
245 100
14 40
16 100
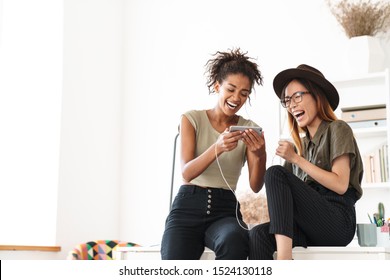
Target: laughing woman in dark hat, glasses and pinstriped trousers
311 199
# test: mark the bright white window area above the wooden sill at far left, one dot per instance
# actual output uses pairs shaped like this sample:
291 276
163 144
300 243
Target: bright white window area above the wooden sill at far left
31 48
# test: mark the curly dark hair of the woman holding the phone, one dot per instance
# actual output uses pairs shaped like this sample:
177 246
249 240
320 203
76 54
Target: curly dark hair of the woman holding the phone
232 62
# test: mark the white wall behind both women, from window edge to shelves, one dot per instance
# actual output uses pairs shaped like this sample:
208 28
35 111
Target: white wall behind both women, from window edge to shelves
132 67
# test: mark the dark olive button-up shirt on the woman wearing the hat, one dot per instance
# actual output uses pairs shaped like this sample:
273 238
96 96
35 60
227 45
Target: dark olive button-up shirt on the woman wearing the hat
332 139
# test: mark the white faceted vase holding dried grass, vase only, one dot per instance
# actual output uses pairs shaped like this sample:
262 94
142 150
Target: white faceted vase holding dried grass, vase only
365 55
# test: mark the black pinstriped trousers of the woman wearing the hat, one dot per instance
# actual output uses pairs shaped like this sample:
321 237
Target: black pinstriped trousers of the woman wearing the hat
310 215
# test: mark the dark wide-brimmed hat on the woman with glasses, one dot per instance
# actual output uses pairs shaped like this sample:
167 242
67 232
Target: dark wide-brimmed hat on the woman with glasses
307 72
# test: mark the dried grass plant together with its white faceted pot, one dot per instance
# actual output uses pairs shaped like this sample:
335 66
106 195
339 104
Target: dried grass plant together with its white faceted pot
363 22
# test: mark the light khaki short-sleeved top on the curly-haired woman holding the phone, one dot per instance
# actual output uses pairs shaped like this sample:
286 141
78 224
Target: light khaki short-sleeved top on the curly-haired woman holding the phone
231 162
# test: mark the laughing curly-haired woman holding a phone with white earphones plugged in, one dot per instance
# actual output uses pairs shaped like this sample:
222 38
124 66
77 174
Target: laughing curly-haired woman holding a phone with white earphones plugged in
205 211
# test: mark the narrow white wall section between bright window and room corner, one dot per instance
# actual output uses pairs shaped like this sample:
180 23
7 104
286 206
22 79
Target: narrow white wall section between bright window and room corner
90 160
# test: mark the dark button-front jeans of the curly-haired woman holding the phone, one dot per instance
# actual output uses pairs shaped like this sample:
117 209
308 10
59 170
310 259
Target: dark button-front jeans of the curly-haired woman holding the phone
204 217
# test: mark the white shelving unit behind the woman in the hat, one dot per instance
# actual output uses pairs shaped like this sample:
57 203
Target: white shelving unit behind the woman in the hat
370 89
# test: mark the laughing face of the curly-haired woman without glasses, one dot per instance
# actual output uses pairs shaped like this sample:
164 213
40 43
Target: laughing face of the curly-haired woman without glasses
233 93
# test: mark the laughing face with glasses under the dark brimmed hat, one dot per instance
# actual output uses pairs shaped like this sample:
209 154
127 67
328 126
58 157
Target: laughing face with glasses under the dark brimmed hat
302 106
